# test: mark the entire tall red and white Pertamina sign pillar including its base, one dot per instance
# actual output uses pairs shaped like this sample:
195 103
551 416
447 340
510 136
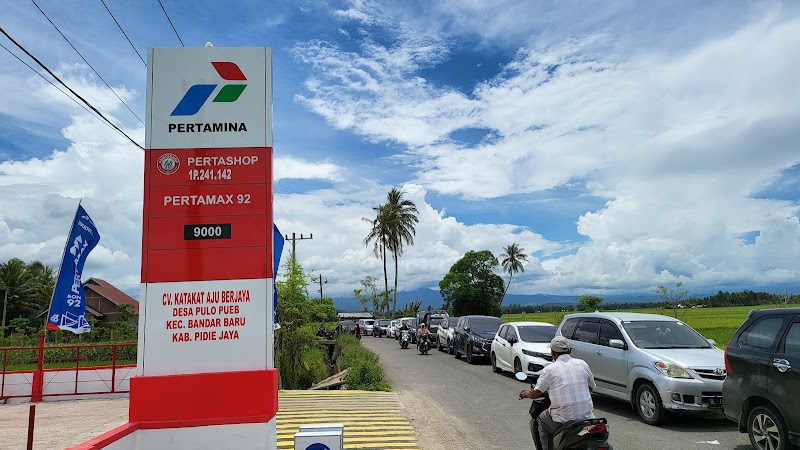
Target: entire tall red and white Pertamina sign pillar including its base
205 366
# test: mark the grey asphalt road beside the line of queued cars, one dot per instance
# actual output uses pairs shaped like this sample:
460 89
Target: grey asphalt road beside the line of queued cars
453 404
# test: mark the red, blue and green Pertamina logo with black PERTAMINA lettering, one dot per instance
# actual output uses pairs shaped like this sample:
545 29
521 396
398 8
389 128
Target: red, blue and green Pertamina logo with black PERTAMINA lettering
197 96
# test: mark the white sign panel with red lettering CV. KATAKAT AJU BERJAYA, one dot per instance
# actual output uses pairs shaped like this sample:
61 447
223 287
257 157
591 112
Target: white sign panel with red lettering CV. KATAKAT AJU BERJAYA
206 326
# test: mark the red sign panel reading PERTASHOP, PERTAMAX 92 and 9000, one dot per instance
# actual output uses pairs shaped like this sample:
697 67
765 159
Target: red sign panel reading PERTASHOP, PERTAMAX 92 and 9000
208 214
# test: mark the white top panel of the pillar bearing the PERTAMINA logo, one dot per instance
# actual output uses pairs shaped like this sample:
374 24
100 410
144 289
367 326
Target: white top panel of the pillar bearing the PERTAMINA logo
209 97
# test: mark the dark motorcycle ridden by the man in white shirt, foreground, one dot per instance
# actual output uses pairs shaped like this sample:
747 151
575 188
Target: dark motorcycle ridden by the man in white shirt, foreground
586 434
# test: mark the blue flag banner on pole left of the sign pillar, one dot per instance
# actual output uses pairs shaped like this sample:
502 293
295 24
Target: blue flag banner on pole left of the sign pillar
68 305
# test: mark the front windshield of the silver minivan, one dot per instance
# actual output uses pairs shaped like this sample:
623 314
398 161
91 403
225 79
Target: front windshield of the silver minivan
663 334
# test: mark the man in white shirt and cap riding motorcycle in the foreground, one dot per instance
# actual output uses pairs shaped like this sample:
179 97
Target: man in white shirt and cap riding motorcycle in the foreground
569 382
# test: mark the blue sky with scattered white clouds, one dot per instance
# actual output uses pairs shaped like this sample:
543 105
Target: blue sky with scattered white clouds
622 144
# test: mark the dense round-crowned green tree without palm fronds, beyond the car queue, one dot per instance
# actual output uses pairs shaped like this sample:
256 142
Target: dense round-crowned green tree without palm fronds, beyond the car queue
472 287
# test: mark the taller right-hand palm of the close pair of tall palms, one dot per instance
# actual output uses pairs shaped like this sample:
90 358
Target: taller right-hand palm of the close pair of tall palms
401 218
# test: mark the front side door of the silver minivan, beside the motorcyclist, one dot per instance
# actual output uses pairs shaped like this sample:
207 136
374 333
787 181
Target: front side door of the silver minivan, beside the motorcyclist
610 368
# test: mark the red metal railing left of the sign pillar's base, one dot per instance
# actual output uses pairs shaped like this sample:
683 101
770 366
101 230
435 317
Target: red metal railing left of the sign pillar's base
37 381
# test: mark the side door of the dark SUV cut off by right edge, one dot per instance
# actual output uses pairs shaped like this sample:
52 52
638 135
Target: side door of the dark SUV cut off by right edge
786 374
